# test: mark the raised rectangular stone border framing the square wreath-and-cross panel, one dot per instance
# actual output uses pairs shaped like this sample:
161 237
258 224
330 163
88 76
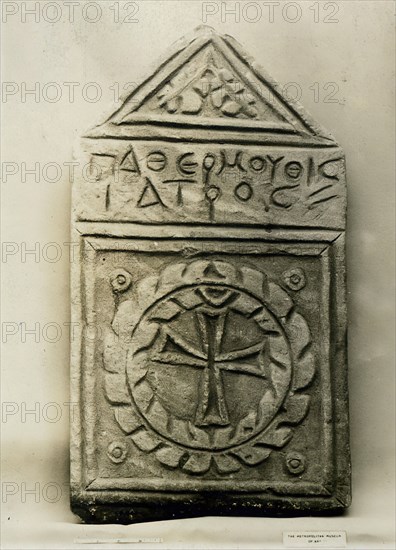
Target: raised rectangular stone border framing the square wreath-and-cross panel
94 504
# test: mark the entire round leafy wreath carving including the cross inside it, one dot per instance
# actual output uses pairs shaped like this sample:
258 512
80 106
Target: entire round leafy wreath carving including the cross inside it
216 362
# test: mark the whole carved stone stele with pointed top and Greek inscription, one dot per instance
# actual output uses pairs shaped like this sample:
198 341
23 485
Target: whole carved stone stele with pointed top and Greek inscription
208 300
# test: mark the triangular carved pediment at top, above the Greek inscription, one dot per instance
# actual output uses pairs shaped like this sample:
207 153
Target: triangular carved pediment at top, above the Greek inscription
207 80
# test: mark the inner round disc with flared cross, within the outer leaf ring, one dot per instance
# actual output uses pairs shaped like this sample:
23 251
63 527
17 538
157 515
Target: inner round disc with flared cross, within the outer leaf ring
202 379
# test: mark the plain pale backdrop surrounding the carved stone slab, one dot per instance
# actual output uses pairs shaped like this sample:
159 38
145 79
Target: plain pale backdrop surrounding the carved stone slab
339 57
